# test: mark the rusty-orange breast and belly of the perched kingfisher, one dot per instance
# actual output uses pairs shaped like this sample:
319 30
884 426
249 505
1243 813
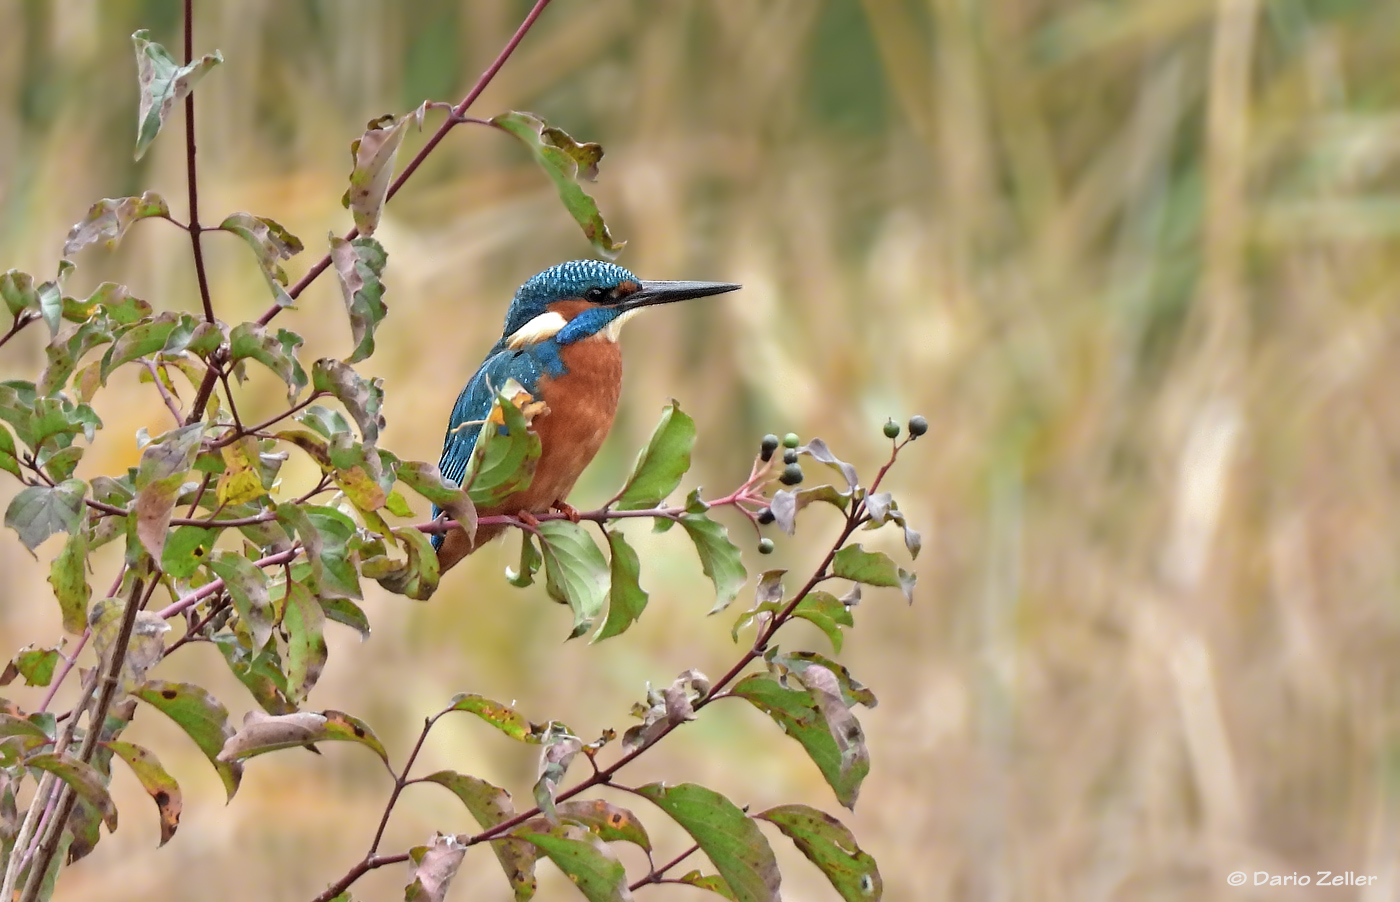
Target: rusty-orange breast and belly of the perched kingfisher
582 408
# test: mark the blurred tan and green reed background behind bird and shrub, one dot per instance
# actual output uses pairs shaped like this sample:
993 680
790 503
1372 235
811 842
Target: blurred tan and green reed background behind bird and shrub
1136 261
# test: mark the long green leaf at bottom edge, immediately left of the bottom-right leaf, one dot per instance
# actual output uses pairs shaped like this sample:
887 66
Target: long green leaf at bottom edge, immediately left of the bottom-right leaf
729 837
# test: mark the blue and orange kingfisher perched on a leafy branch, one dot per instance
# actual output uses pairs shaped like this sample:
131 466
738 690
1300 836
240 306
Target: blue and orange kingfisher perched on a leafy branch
561 344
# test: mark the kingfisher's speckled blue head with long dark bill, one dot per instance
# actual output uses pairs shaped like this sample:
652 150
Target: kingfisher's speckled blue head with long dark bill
576 300
